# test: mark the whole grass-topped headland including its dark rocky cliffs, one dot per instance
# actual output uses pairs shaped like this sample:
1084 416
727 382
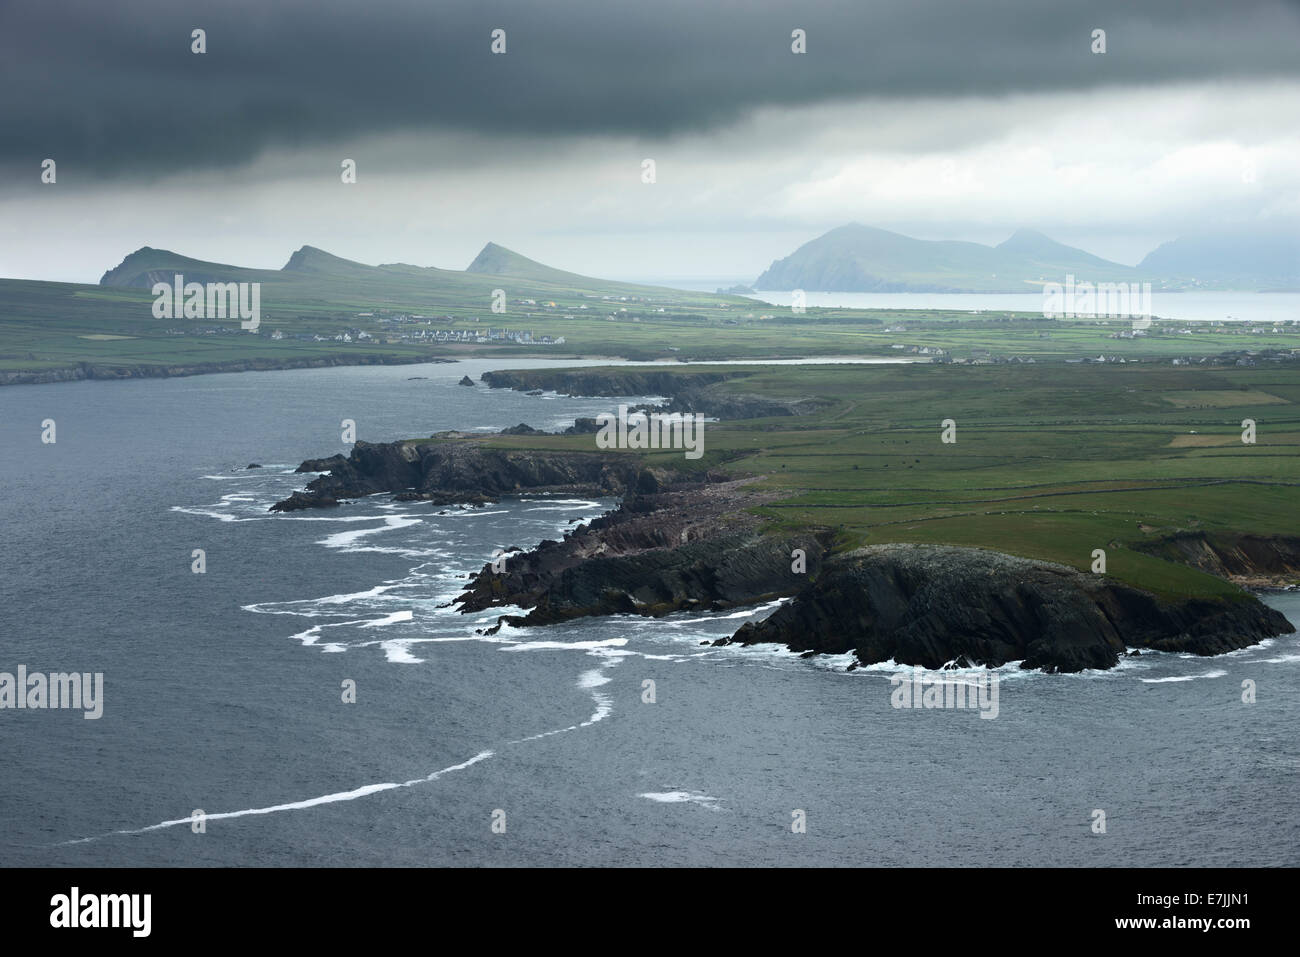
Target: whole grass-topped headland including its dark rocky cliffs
813 469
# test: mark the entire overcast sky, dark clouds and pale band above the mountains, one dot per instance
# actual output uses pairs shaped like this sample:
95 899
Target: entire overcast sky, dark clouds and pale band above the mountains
955 119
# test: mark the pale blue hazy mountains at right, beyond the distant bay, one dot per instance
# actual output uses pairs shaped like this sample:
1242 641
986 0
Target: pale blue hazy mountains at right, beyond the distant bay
864 259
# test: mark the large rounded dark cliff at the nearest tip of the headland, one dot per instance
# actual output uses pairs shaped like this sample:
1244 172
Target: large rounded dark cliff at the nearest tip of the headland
931 605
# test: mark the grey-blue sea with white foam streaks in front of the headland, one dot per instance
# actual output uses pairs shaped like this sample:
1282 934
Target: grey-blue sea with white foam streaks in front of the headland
223 691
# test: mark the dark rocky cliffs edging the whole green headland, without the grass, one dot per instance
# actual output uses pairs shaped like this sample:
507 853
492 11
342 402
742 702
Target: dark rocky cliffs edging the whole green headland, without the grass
690 540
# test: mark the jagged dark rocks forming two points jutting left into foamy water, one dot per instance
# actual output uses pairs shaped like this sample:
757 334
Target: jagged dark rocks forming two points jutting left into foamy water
678 542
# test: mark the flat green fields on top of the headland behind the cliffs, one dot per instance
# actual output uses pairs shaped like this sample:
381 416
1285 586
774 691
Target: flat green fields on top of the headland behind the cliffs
1051 462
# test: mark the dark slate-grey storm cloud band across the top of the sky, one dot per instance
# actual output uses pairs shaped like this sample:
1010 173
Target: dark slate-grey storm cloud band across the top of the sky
112 89
